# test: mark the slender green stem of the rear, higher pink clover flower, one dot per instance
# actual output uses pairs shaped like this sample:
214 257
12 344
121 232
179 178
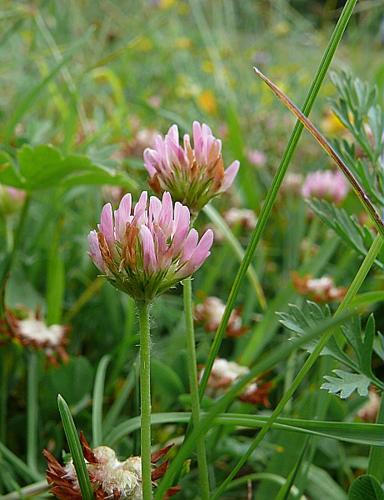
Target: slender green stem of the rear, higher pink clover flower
194 388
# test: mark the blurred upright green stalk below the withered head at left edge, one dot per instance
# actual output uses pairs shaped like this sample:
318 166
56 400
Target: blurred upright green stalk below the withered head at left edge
32 410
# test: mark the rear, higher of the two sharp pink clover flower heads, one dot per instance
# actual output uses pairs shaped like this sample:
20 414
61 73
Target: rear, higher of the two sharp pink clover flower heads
193 174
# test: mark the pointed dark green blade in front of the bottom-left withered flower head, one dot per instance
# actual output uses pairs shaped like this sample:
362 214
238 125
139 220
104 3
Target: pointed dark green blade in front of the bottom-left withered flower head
75 449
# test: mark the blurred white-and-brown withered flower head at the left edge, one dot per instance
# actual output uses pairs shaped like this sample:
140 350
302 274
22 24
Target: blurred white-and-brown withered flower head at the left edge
29 329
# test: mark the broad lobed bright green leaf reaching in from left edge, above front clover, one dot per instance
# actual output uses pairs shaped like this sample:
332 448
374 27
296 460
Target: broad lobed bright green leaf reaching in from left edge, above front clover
44 166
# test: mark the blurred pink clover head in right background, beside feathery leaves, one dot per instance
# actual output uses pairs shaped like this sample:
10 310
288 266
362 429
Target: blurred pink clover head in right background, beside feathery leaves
325 184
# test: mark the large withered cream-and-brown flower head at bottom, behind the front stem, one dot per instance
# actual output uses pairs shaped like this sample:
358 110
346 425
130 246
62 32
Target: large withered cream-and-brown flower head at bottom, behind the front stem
110 478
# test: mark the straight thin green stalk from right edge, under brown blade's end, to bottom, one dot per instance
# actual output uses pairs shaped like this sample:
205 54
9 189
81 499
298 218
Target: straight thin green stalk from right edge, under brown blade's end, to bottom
312 358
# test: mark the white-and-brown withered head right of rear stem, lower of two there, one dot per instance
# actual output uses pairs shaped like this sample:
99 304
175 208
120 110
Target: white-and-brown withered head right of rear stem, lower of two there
226 373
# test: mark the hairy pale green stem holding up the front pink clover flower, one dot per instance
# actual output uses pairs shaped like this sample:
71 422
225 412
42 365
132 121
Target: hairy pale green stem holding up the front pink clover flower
145 398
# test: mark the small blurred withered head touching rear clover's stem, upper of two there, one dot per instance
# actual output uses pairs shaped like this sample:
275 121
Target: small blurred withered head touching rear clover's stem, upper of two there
210 313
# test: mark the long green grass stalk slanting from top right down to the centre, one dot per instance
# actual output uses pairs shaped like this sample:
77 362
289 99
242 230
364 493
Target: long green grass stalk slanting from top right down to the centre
274 189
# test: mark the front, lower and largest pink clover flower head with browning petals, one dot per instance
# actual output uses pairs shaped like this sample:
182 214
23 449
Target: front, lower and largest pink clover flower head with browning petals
145 249
